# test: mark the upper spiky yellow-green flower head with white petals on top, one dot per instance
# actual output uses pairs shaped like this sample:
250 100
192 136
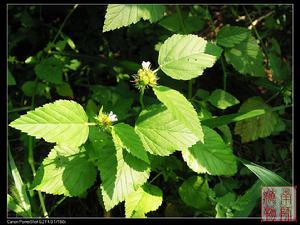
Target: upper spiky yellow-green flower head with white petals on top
145 77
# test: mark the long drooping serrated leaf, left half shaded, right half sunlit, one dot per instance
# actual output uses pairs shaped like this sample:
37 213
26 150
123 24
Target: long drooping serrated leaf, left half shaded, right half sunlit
121 173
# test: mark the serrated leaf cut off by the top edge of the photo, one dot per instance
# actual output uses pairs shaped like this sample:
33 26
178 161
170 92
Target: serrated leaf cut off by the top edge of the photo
121 15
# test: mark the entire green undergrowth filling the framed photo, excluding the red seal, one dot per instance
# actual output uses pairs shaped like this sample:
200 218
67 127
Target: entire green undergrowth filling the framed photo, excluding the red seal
147 110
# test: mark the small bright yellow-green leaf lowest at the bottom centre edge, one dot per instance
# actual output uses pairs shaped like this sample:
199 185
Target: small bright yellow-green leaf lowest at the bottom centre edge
146 199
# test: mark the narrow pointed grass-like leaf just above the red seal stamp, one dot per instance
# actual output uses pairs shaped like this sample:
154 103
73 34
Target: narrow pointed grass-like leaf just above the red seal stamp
268 177
